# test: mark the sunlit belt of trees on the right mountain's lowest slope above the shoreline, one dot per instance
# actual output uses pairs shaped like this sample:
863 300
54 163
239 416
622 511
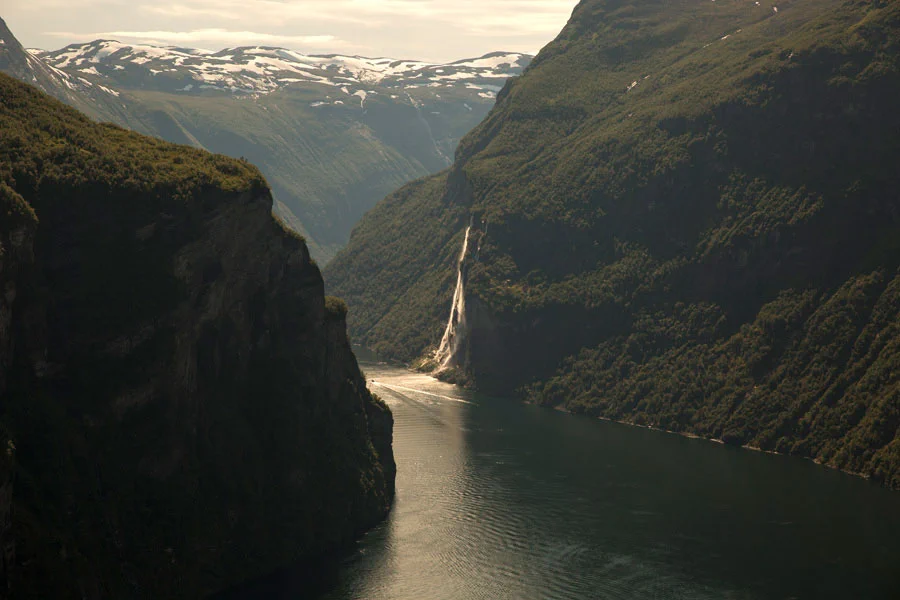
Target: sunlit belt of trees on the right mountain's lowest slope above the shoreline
813 374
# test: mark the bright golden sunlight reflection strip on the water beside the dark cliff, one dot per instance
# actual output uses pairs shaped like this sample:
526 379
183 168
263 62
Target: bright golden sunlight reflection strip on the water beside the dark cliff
420 546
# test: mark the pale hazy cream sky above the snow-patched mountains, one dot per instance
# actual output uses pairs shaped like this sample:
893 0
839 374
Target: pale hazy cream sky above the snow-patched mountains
437 30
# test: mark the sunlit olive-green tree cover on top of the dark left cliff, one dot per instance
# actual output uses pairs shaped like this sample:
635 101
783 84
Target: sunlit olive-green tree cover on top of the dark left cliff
45 143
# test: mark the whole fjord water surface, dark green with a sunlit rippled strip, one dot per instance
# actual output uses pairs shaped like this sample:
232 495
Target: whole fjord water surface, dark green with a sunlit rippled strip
498 500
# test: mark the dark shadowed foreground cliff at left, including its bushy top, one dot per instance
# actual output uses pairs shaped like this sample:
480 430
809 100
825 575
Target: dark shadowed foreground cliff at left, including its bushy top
182 411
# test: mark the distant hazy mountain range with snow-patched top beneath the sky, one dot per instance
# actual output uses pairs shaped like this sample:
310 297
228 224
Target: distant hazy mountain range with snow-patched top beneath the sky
332 134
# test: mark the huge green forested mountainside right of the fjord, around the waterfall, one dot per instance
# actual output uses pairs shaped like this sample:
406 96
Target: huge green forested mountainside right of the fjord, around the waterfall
692 221
